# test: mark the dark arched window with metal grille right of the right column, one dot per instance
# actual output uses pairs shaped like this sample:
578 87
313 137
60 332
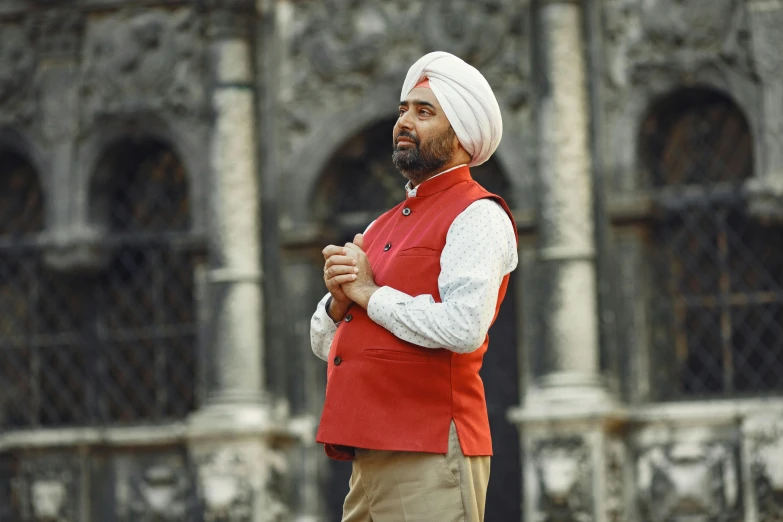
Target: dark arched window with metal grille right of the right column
718 274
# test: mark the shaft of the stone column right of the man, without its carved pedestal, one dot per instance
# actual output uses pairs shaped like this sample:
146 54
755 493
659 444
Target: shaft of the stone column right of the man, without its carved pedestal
568 362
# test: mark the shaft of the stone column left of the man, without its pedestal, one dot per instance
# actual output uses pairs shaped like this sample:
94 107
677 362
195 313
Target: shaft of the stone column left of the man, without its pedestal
236 344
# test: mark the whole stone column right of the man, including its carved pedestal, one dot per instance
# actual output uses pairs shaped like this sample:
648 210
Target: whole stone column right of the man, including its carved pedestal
574 465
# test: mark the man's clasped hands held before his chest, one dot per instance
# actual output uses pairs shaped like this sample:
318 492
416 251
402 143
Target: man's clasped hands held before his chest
348 276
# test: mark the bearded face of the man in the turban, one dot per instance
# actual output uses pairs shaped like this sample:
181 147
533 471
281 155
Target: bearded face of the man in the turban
423 138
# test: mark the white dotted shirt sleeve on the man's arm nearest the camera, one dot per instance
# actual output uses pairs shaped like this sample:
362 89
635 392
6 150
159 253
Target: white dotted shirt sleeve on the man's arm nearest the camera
480 250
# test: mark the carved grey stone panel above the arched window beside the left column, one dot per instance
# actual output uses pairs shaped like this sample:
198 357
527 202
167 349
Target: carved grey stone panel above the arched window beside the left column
150 60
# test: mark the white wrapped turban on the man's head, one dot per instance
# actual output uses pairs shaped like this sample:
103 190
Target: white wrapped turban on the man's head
466 98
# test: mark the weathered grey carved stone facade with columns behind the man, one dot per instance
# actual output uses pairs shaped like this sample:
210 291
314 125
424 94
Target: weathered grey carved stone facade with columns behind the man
256 99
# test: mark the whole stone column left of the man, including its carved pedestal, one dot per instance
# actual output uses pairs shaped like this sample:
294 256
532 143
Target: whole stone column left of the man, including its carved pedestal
234 436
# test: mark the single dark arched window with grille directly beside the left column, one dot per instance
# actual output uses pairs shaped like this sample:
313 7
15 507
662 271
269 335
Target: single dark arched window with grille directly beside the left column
145 325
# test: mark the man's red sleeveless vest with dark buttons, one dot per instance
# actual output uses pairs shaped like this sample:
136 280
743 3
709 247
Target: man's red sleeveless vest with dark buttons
382 392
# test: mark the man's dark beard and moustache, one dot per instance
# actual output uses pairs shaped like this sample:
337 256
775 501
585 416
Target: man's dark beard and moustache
419 162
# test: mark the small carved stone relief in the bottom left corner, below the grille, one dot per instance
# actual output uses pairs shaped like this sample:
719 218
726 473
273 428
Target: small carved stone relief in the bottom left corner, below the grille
48 487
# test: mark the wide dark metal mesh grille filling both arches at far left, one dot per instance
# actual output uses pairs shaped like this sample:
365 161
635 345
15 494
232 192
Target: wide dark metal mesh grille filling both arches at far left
114 345
